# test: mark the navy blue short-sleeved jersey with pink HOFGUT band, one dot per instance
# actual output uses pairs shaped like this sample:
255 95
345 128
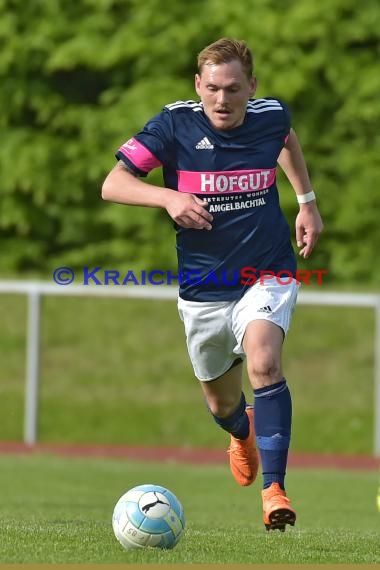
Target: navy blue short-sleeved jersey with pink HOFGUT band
235 171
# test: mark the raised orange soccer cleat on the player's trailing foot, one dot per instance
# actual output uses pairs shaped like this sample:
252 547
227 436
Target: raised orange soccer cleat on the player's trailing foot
244 460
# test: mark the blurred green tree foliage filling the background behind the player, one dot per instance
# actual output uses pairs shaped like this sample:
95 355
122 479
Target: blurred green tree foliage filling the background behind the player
79 77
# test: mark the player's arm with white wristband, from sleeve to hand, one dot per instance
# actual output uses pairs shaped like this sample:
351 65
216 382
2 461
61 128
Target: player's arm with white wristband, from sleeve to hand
308 221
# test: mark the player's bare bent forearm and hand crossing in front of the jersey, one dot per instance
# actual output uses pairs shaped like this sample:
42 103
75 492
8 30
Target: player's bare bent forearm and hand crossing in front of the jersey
123 186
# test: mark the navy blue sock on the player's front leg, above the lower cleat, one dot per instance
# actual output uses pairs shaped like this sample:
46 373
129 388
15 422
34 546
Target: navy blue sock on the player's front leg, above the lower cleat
273 419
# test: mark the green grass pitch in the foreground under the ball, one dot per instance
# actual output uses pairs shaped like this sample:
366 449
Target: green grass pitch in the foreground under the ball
59 510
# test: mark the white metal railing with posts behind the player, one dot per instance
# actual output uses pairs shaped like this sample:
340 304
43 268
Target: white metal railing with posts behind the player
35 290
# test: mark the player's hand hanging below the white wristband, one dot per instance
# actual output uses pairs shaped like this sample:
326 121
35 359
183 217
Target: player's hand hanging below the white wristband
309 225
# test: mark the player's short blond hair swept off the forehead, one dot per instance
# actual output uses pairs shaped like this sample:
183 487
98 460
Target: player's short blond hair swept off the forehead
224 51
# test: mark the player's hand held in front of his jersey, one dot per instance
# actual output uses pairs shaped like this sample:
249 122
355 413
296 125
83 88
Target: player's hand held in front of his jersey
188 211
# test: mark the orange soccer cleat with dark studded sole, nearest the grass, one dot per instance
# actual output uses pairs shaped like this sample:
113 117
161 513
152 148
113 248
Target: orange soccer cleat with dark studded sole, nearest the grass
277 511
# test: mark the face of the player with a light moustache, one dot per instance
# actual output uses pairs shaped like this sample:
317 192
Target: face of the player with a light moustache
224 90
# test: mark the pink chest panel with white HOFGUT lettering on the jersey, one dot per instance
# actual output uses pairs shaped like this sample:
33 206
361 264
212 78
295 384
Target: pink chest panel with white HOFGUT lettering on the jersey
227 182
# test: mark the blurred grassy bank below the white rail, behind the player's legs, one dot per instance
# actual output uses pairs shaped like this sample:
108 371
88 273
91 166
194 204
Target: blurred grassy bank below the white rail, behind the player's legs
117 371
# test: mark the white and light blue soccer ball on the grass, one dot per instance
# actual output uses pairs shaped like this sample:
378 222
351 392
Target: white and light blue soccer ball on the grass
148 515
